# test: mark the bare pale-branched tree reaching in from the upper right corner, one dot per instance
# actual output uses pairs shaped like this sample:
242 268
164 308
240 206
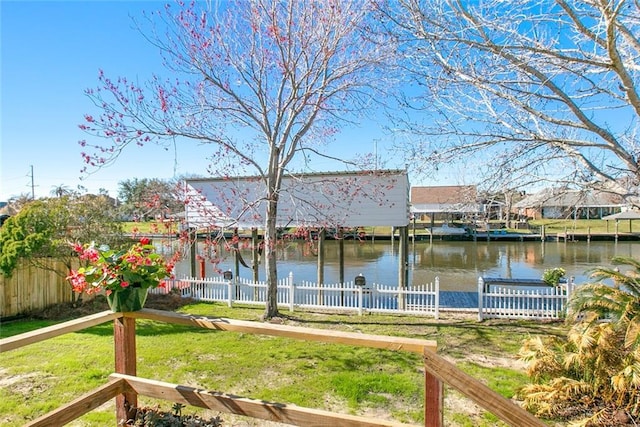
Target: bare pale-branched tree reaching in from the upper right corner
536 91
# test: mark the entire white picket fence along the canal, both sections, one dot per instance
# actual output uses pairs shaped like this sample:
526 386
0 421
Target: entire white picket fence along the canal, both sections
517 301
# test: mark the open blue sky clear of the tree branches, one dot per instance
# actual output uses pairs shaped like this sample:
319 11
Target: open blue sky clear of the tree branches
51 52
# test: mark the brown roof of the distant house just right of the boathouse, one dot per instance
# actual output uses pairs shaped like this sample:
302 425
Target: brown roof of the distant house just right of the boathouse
446 198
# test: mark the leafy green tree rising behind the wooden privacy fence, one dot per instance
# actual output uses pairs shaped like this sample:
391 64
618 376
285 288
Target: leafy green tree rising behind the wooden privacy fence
43 229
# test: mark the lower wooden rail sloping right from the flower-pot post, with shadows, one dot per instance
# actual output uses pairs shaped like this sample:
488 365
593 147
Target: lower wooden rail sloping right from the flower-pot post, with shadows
278 412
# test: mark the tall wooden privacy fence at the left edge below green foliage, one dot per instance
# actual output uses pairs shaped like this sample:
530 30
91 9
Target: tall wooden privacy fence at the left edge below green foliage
32 288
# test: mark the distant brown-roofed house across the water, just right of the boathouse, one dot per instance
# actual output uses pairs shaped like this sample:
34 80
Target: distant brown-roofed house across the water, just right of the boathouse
450 202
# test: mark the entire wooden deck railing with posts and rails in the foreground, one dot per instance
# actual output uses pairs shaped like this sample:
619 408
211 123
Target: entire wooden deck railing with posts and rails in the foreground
125 386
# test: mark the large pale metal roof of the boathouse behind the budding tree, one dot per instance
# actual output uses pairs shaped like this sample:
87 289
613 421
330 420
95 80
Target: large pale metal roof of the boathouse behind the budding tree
347 199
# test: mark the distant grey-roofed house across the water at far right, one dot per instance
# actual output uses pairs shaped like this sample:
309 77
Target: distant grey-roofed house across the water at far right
575 204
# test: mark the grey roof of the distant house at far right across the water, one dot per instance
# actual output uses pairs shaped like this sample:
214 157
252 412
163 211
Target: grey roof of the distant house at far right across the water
553 197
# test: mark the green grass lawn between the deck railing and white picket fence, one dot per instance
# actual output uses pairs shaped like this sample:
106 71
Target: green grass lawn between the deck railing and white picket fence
40 377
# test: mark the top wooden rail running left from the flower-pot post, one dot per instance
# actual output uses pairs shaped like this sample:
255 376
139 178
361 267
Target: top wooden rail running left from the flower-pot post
17 341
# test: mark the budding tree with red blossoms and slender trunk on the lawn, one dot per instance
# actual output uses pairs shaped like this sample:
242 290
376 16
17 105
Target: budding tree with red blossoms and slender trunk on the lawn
264 82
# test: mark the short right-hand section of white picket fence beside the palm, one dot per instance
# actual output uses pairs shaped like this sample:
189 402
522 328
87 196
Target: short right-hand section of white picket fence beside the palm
523 301
